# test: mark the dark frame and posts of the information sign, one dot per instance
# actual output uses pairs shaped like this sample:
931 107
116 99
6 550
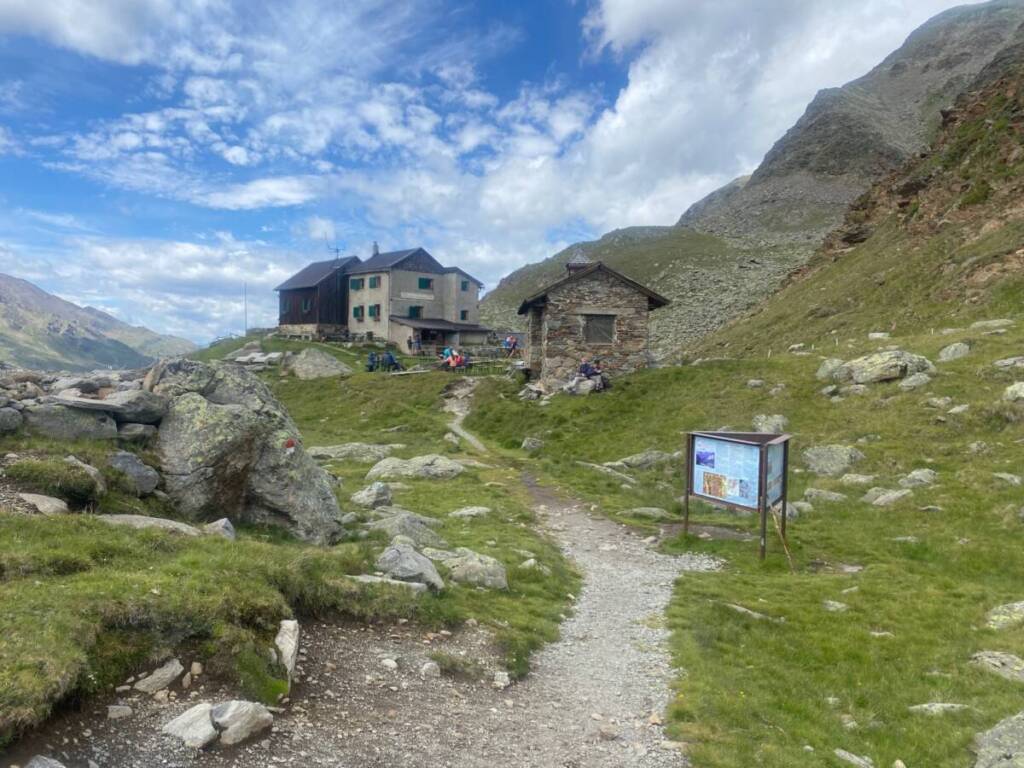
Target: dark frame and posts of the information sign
763 442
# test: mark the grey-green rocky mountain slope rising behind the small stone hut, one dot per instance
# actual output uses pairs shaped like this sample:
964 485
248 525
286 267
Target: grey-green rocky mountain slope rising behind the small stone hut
734 248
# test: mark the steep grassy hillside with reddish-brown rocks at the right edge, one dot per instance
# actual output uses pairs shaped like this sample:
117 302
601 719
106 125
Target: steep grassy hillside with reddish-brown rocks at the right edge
938 243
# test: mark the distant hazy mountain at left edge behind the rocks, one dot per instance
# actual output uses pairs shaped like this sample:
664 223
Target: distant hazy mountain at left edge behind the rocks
39 330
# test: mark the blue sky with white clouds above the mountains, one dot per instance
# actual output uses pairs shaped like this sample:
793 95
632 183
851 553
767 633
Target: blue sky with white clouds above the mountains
156 156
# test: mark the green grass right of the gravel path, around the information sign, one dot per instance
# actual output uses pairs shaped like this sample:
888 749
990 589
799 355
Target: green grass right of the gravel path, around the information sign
754 693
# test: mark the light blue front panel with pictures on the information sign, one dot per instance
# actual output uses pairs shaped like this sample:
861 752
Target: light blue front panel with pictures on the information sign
727 472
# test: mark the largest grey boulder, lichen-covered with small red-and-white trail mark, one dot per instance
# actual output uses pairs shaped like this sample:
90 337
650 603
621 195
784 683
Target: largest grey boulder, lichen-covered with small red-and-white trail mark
229 449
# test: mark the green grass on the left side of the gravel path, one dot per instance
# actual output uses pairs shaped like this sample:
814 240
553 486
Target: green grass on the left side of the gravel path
84 604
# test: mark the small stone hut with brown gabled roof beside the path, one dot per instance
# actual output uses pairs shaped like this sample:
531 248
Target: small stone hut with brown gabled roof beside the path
593 312
